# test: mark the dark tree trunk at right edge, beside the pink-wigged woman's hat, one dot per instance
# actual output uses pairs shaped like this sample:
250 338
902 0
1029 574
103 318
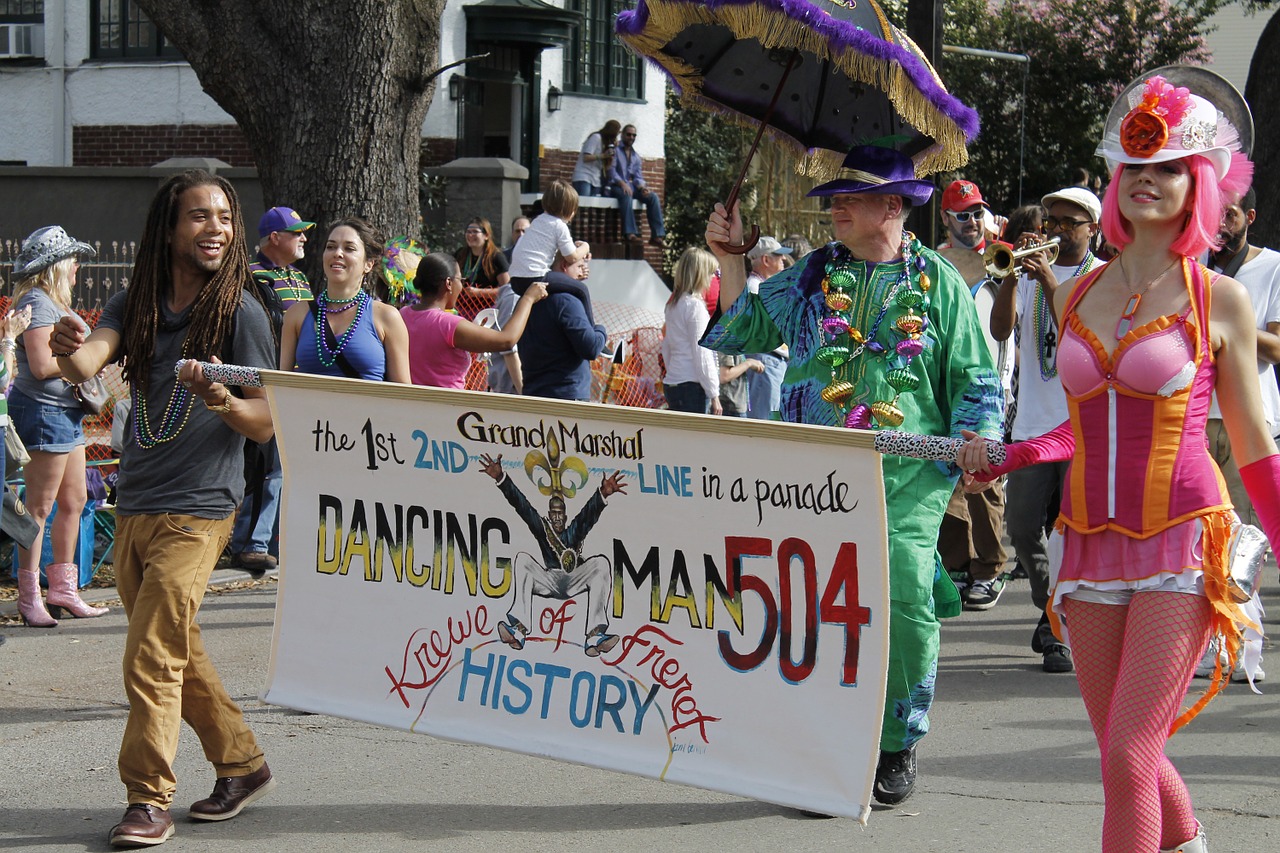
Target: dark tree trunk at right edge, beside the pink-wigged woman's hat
1263 93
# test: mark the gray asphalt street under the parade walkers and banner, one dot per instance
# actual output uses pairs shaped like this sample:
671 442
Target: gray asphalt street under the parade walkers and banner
1011 765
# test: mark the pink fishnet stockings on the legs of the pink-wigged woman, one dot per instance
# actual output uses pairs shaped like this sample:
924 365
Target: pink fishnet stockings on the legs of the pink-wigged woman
1133 664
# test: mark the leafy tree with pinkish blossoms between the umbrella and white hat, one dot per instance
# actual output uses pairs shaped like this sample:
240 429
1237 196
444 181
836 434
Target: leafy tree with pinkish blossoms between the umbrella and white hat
1082 54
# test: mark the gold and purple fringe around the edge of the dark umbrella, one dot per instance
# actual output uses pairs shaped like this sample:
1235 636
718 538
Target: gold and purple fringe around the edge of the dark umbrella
776 30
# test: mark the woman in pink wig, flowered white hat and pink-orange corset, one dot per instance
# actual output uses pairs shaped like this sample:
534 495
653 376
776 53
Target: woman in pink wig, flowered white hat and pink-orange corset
1146 519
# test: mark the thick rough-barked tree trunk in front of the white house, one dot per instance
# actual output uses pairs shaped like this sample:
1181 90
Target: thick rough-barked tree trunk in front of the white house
330 94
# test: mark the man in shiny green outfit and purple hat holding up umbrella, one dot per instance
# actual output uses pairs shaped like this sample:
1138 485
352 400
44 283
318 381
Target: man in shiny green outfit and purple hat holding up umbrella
883 334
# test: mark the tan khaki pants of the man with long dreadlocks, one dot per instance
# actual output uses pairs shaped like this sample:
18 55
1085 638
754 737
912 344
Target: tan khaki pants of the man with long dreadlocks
163 564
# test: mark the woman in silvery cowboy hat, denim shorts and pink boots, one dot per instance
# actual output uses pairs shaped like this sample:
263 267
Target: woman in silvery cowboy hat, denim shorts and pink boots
48 416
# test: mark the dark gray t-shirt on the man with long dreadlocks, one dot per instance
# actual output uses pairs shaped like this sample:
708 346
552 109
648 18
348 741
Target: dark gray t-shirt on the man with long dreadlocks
202 471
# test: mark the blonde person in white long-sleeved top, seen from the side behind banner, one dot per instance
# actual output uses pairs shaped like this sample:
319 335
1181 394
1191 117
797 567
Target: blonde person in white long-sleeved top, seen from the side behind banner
692 382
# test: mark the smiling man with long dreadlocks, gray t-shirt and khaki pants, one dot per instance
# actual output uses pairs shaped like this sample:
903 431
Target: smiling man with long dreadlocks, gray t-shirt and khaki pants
181 480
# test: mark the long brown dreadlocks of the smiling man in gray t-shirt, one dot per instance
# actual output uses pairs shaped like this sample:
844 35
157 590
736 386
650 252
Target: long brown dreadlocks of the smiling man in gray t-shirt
213 316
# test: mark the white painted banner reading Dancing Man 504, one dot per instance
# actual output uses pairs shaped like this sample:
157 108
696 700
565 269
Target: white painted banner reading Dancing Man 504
691 599
